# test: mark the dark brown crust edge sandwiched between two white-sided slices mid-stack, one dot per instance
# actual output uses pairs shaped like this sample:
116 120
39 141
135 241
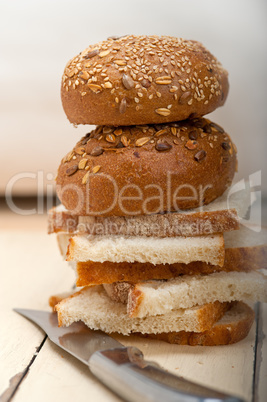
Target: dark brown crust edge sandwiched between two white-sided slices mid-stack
242 259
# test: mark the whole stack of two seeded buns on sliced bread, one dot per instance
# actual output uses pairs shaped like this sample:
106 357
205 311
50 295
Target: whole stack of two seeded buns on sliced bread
149 220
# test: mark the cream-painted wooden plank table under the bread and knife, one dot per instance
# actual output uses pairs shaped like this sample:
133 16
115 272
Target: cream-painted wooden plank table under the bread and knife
34 369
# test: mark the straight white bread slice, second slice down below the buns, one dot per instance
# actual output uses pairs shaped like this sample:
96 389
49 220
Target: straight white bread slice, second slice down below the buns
209 249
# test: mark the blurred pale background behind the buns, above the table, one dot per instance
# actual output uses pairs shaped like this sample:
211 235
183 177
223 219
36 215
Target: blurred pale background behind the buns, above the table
37 38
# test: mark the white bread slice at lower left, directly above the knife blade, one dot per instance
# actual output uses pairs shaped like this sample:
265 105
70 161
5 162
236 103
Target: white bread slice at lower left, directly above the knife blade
93 306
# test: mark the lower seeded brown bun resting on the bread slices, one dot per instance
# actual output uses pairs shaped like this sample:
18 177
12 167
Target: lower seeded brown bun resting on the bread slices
138 170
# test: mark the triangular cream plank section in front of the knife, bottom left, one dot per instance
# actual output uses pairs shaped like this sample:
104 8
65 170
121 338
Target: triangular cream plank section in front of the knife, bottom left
57 376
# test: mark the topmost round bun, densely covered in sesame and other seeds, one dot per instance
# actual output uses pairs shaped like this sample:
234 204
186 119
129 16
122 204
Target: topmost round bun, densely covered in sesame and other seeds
141 80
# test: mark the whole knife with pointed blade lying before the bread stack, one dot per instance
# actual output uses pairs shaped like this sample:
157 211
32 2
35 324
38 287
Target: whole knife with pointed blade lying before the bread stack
122 369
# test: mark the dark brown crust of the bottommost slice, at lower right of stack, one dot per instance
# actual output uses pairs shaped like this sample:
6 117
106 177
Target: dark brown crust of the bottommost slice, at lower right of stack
222 333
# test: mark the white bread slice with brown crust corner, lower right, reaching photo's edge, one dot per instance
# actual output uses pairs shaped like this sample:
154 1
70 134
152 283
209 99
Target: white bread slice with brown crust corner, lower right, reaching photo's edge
160 297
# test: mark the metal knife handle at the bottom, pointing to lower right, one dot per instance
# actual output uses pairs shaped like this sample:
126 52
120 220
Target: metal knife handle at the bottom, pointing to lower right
125 372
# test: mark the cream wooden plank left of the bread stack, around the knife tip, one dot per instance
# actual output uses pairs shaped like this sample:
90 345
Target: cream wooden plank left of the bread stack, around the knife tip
31 271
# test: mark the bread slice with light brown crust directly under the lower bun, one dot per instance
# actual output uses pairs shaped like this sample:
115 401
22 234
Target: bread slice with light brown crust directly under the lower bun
219 216
